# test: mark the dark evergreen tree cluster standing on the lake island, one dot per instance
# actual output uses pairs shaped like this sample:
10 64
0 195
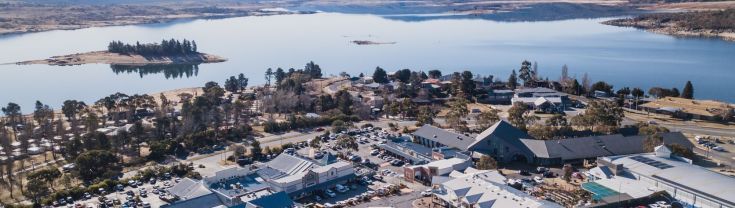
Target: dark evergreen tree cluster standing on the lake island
166 47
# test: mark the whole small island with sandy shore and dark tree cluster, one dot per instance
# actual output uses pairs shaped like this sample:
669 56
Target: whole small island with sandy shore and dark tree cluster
119 53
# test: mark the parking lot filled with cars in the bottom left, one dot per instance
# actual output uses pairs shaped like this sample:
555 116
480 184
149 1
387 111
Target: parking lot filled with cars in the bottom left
135 194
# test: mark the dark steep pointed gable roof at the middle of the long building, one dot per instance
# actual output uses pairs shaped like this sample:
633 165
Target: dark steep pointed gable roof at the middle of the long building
503 130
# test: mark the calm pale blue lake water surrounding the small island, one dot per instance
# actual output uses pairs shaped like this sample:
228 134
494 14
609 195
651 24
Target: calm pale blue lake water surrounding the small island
621 56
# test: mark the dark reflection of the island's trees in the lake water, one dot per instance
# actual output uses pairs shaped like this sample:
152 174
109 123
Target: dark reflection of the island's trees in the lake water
170 71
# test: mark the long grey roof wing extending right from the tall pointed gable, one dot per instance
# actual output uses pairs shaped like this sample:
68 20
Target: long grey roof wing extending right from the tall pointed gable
596 146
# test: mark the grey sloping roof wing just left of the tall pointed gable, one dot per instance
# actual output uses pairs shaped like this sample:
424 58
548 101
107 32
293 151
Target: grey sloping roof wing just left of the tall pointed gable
445 137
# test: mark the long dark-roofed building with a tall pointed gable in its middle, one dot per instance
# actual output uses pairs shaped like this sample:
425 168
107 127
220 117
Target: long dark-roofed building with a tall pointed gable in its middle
507 143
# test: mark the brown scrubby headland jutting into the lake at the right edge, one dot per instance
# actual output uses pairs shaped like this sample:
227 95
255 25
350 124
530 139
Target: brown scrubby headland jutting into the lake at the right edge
719 23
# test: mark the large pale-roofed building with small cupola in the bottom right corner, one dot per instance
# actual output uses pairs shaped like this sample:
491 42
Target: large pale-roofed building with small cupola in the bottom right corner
640 175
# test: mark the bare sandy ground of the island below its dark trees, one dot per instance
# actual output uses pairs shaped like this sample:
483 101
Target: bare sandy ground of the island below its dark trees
104 57
